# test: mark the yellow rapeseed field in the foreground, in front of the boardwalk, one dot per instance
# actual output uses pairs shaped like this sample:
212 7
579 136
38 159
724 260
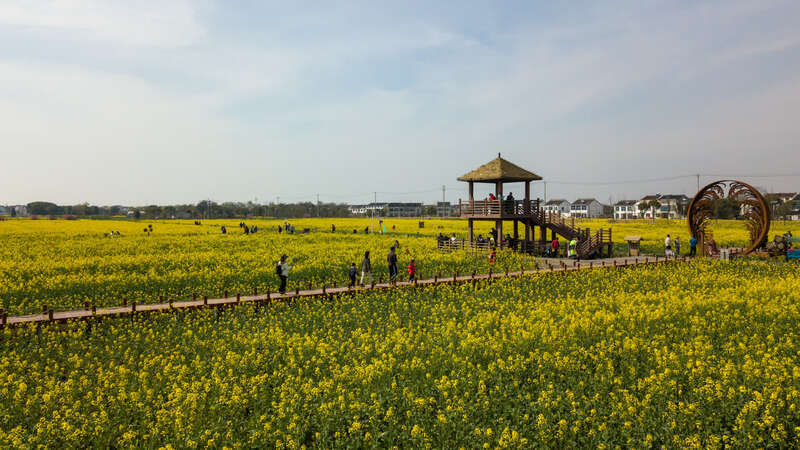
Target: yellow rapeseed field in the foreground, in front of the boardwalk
700 354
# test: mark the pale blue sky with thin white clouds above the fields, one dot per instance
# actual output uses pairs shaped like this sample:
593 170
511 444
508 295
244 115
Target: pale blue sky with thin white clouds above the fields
171 102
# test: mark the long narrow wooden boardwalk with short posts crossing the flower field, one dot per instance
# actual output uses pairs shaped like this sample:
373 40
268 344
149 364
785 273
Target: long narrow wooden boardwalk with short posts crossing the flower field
90 313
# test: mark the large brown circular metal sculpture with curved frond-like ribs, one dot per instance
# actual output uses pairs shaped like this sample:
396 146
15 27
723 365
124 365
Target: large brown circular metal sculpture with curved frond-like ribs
756 211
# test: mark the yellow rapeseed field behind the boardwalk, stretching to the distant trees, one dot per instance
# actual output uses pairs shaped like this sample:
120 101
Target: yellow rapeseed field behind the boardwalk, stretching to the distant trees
62 264
